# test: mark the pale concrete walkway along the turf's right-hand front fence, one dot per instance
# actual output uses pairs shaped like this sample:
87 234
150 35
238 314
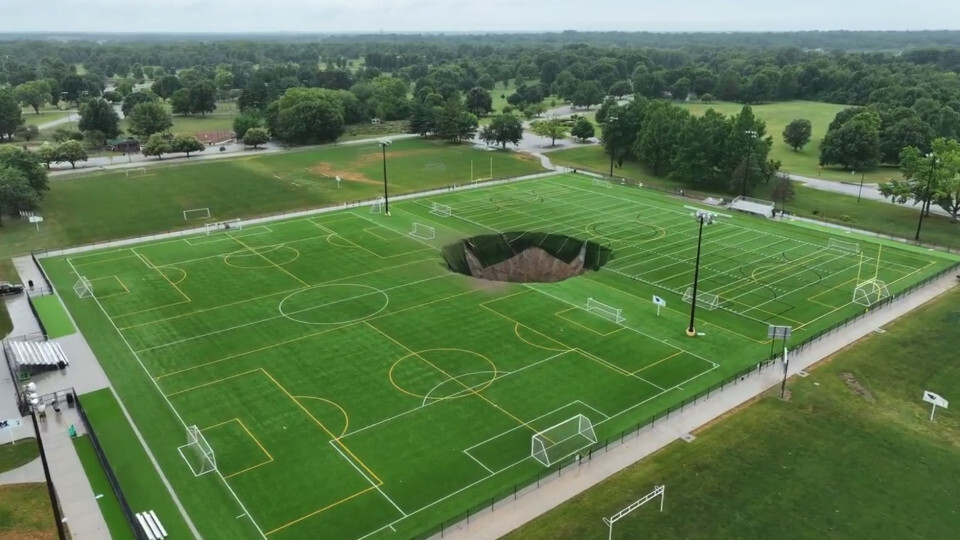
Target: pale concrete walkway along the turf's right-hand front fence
507 517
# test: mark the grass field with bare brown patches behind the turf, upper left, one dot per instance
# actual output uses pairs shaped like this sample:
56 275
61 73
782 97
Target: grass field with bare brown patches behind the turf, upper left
110 205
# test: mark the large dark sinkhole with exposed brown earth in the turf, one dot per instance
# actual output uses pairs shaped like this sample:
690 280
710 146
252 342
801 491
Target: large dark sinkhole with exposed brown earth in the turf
525 257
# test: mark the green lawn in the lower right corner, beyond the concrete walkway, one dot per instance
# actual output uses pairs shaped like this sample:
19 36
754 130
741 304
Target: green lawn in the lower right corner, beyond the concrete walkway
830 463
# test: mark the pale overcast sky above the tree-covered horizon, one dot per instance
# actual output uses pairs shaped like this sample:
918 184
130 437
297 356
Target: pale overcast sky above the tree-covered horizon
477 15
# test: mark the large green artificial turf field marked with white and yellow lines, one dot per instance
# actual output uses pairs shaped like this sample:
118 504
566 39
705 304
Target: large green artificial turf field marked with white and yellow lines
351 386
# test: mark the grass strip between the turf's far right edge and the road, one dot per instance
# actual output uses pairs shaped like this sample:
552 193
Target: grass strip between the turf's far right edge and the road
869 215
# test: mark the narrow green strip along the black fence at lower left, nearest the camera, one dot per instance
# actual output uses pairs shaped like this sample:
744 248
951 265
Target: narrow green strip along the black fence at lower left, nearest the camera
138 479
